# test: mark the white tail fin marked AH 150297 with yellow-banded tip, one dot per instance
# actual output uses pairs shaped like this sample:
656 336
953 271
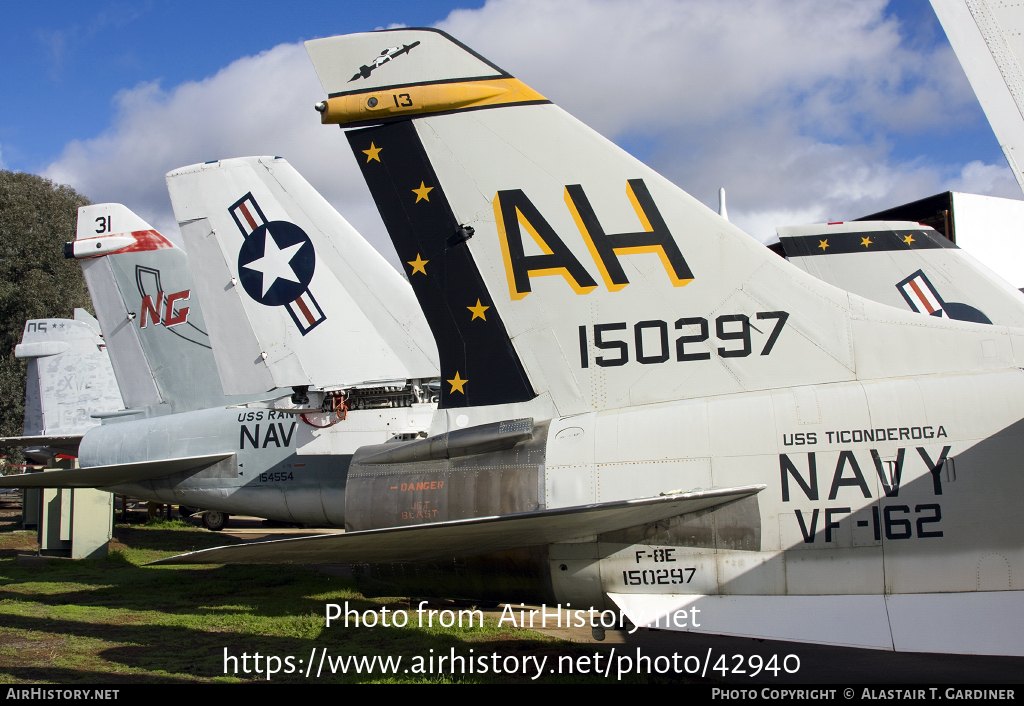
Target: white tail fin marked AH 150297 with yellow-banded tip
553 267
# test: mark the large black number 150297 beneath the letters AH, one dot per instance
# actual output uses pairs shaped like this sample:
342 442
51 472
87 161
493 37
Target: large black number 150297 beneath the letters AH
651 340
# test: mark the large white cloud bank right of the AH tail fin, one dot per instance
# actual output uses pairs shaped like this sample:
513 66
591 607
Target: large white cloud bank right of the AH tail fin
793 106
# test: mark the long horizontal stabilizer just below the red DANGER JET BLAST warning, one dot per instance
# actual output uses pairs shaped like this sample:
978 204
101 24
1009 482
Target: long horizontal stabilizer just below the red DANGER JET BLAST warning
467 537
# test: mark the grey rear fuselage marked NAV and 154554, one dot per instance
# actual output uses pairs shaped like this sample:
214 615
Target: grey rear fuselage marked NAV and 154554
283 469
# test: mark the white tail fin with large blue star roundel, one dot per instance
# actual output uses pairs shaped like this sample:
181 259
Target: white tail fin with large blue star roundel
294 296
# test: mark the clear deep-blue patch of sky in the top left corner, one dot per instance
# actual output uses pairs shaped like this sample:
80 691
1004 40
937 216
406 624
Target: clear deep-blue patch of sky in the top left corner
66 61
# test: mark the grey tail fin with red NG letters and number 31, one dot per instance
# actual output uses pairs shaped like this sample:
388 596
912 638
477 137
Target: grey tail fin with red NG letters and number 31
148 310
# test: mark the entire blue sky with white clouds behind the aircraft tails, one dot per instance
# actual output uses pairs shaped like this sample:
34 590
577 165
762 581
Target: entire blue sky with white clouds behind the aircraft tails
804 111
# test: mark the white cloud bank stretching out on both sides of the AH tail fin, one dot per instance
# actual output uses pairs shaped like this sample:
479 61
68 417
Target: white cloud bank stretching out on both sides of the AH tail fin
793 106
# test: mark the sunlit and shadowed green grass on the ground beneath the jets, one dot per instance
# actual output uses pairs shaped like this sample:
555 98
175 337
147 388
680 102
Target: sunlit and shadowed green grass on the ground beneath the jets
114 620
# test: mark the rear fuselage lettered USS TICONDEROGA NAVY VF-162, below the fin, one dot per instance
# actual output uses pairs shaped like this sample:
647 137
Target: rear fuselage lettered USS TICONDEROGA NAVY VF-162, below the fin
904 493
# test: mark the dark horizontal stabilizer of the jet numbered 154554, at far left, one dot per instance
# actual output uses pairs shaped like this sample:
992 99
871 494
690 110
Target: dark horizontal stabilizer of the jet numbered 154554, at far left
103 477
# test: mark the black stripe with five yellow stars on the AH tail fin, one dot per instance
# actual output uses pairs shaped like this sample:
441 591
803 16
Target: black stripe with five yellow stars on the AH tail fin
479 363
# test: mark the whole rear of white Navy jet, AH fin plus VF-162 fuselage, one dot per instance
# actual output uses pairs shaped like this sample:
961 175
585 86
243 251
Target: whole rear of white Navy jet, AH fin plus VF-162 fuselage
605 338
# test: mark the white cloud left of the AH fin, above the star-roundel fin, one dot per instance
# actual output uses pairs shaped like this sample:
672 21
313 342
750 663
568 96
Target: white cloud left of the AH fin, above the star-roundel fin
260 105
